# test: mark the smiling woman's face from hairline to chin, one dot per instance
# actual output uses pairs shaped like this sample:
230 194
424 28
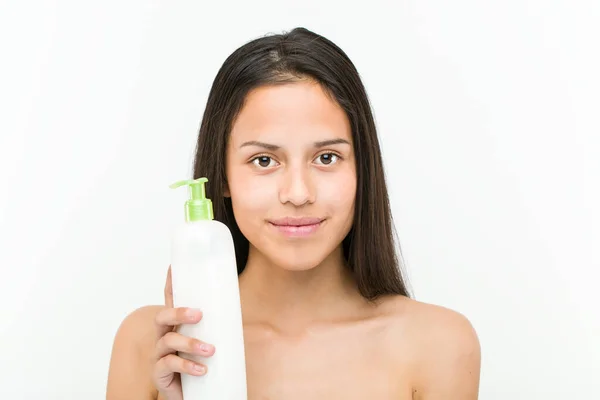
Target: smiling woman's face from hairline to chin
291 174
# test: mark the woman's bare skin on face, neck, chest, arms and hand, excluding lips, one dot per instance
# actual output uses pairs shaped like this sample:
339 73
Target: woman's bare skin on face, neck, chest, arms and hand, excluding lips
308 333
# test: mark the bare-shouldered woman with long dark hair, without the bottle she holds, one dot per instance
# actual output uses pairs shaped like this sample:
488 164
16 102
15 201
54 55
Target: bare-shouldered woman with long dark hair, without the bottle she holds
289 134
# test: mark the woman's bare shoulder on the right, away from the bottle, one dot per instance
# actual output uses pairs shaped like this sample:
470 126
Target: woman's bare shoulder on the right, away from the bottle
446 349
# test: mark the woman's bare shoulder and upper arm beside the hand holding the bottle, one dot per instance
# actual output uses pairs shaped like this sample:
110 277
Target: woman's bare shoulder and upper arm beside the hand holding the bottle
129 374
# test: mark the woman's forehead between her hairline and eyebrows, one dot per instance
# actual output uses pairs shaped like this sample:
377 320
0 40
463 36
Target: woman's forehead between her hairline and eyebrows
295 111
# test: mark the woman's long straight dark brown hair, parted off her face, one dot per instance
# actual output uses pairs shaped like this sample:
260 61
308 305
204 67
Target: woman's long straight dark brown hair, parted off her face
370 246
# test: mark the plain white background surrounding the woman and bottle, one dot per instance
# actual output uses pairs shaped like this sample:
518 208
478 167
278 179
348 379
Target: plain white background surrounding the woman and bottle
488 115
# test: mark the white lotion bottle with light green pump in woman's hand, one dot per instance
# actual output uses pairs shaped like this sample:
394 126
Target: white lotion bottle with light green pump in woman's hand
204 276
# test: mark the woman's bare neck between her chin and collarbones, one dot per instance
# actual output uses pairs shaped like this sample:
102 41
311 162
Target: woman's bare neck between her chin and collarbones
292 300
